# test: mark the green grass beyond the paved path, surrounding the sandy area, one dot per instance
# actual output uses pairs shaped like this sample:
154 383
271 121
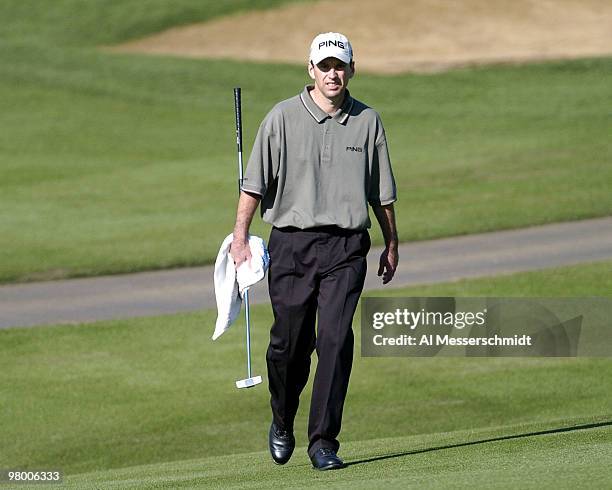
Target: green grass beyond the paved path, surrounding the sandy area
117 163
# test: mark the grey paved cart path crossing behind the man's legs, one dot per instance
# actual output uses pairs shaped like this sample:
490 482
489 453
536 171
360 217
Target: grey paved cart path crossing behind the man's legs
426 262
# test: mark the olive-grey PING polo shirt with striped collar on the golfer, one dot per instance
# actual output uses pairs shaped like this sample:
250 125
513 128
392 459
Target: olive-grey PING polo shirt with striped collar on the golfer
315 169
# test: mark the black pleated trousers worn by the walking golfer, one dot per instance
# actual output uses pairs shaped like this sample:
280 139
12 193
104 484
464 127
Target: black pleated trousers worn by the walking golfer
314 271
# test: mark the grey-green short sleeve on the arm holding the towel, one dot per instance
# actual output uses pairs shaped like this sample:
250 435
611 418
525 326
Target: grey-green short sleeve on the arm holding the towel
263 163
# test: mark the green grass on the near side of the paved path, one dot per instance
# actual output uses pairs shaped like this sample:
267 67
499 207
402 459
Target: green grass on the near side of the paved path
157 391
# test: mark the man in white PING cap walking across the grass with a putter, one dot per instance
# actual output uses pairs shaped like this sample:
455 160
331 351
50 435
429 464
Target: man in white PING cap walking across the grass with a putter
318 160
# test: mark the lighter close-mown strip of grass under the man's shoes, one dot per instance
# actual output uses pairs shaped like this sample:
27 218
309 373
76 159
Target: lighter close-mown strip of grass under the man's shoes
458 459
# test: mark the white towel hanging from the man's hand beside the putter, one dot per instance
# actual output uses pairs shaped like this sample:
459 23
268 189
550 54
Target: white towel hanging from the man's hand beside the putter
231 285
